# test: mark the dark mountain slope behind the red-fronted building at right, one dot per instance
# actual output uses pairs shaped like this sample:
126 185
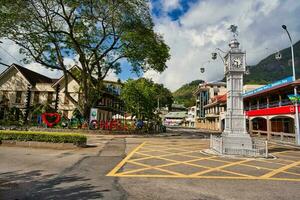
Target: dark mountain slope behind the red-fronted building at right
269 69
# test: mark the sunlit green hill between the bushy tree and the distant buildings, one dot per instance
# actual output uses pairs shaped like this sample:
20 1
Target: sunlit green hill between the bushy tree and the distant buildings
184 95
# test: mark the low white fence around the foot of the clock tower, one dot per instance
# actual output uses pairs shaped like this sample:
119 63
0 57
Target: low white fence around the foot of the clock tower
259 148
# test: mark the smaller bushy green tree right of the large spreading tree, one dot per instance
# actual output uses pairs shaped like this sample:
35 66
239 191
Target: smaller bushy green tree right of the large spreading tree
141 96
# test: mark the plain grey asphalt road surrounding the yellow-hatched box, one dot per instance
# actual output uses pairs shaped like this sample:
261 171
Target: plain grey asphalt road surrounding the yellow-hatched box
81 174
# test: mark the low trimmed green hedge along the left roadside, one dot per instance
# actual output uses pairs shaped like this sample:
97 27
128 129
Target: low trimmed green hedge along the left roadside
74 138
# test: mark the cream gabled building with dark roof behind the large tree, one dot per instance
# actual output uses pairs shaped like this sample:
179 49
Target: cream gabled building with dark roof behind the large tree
19 84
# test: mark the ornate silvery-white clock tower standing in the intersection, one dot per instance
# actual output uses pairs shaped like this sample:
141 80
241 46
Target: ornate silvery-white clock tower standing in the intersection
235 136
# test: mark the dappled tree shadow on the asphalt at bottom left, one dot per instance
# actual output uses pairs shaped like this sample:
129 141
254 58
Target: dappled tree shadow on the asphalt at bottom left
34 185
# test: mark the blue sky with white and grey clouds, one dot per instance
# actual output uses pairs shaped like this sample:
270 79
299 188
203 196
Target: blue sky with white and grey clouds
193 29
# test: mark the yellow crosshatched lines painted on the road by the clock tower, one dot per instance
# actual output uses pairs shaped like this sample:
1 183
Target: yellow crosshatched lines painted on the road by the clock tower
185 148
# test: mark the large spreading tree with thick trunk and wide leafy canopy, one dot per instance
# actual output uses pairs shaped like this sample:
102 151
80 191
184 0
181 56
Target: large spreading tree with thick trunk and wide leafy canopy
96 34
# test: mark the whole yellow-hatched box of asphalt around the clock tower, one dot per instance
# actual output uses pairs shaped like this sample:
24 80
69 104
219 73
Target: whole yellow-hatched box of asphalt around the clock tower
182 159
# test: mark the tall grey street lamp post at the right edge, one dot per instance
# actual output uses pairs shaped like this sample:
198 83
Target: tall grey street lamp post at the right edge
295 89
